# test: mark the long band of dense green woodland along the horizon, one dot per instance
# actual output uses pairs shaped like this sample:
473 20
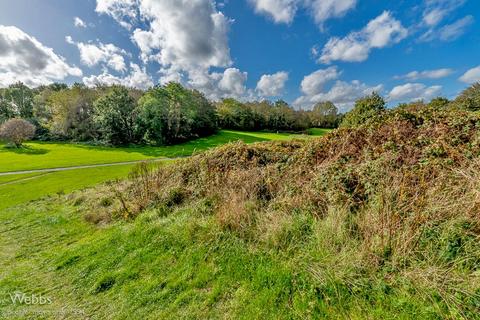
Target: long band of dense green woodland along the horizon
171 113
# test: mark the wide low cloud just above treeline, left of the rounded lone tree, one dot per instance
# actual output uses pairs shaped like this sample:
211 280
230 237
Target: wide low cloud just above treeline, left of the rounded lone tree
342 94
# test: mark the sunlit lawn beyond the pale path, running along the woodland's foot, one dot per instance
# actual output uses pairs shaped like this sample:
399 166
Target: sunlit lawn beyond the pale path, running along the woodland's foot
38 155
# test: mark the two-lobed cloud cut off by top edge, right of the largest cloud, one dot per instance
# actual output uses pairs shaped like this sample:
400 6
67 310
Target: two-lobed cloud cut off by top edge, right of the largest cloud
283 11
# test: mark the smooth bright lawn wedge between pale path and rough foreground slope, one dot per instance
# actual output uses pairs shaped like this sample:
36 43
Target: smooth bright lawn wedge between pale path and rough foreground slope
56 182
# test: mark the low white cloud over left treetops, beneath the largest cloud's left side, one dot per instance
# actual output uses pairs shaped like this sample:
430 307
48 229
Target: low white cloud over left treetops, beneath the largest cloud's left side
137 78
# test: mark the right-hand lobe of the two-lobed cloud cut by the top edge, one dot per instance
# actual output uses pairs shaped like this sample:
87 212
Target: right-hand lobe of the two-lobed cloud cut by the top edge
322 10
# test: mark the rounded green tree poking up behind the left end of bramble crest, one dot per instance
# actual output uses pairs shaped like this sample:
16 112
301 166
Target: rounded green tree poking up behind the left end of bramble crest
365 108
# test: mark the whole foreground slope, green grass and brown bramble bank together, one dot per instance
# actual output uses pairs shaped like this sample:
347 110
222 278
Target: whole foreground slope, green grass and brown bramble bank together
380 221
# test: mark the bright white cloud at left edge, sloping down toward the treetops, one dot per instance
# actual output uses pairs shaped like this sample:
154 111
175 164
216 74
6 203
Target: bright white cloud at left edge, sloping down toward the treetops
24 58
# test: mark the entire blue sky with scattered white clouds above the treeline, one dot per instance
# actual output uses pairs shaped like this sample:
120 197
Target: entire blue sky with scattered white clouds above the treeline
303 51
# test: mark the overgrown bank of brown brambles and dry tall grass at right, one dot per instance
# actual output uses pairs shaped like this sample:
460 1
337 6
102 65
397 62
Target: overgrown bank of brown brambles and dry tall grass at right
389 208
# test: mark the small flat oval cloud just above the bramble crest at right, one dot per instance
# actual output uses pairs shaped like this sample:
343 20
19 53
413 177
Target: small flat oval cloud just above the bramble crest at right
413 92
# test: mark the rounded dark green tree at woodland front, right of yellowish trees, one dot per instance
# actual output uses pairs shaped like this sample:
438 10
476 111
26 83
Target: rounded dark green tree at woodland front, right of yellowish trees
115 115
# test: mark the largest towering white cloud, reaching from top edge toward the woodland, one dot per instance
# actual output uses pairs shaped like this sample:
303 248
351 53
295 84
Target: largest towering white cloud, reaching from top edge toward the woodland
186 38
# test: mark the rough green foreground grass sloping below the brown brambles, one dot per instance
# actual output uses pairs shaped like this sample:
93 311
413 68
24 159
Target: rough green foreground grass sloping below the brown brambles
179 265
